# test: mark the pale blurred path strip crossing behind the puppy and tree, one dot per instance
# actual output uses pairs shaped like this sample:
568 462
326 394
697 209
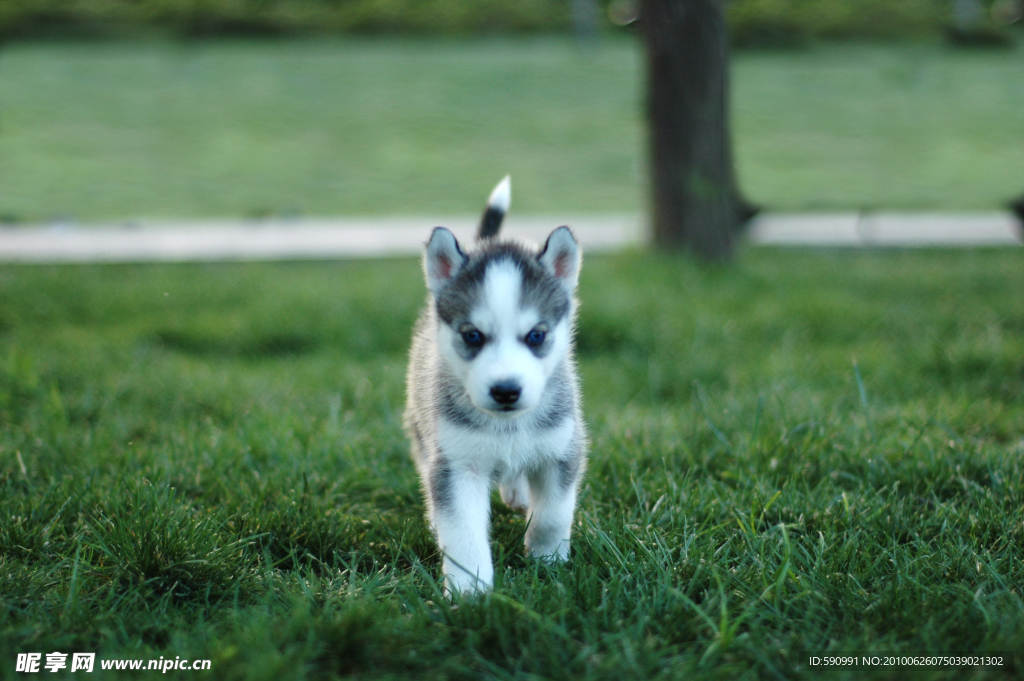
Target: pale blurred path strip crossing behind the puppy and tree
376 237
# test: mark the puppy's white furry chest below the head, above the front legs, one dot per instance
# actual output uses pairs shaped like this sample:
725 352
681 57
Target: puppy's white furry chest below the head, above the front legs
506 451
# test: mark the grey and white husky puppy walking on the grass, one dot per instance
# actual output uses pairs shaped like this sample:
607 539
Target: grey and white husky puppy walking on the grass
493 396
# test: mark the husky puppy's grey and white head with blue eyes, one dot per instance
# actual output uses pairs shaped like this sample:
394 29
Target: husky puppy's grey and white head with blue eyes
505 315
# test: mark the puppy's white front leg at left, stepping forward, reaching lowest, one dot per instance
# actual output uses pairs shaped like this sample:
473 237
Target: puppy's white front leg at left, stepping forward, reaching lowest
461 517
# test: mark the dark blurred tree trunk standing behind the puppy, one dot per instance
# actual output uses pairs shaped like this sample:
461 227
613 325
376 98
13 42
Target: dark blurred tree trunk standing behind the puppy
697 203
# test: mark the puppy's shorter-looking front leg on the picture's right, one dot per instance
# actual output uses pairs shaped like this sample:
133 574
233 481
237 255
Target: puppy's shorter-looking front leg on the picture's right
552 501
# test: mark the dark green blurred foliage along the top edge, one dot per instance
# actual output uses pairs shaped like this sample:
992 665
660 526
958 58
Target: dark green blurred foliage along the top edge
753 23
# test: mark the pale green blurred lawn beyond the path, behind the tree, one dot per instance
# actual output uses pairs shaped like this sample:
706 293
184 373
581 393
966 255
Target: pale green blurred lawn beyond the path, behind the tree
120 131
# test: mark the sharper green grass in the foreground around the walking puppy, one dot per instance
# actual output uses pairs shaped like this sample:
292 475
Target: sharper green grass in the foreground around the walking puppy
810 451
